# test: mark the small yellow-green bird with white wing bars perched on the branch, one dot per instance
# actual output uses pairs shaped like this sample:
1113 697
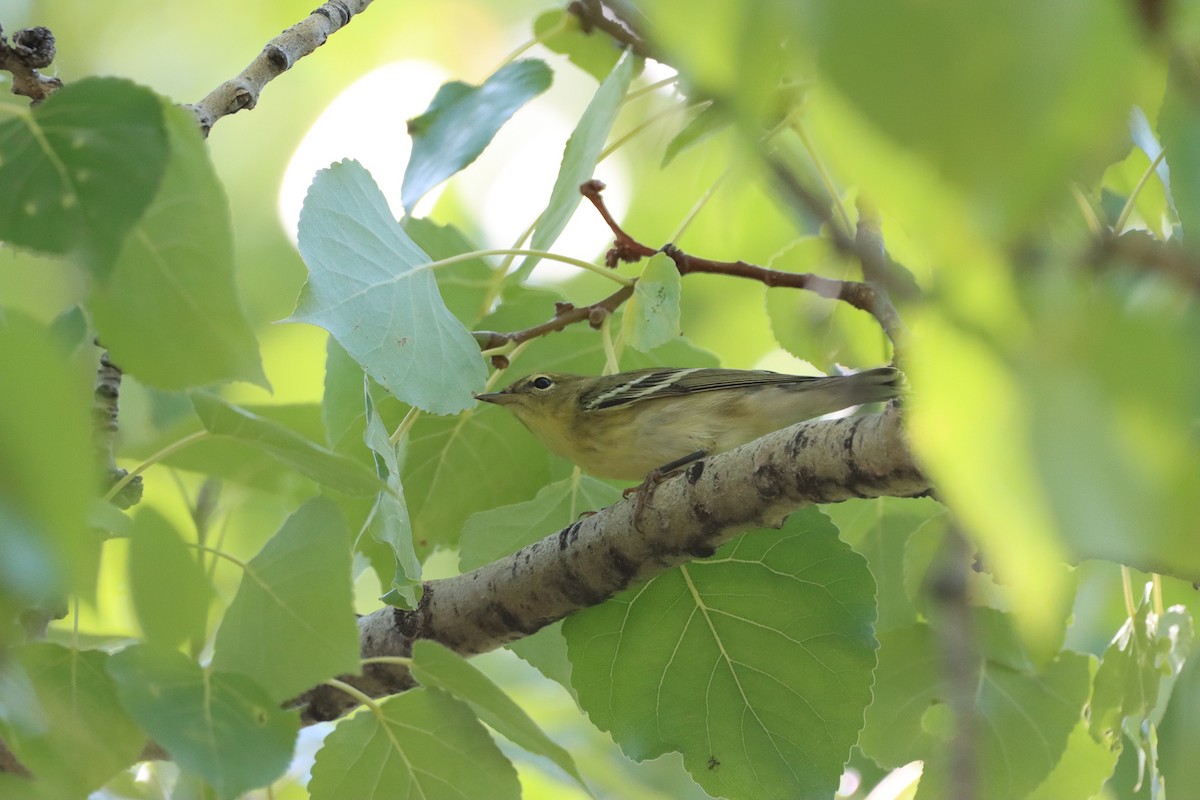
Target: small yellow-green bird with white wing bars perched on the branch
632 424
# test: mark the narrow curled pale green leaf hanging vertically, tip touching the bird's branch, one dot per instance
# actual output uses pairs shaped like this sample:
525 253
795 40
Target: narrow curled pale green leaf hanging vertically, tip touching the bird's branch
392 524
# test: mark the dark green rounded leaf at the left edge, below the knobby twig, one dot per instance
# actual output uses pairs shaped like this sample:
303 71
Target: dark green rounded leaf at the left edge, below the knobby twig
81 170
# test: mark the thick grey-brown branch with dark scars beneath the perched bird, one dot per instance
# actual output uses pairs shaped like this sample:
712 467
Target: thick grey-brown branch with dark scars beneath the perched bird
591 561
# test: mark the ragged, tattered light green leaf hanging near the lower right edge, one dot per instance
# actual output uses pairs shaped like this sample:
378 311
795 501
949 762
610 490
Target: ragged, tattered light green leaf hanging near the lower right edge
1139 670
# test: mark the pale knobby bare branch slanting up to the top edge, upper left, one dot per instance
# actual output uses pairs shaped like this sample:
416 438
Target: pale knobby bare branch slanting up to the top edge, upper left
280 56
